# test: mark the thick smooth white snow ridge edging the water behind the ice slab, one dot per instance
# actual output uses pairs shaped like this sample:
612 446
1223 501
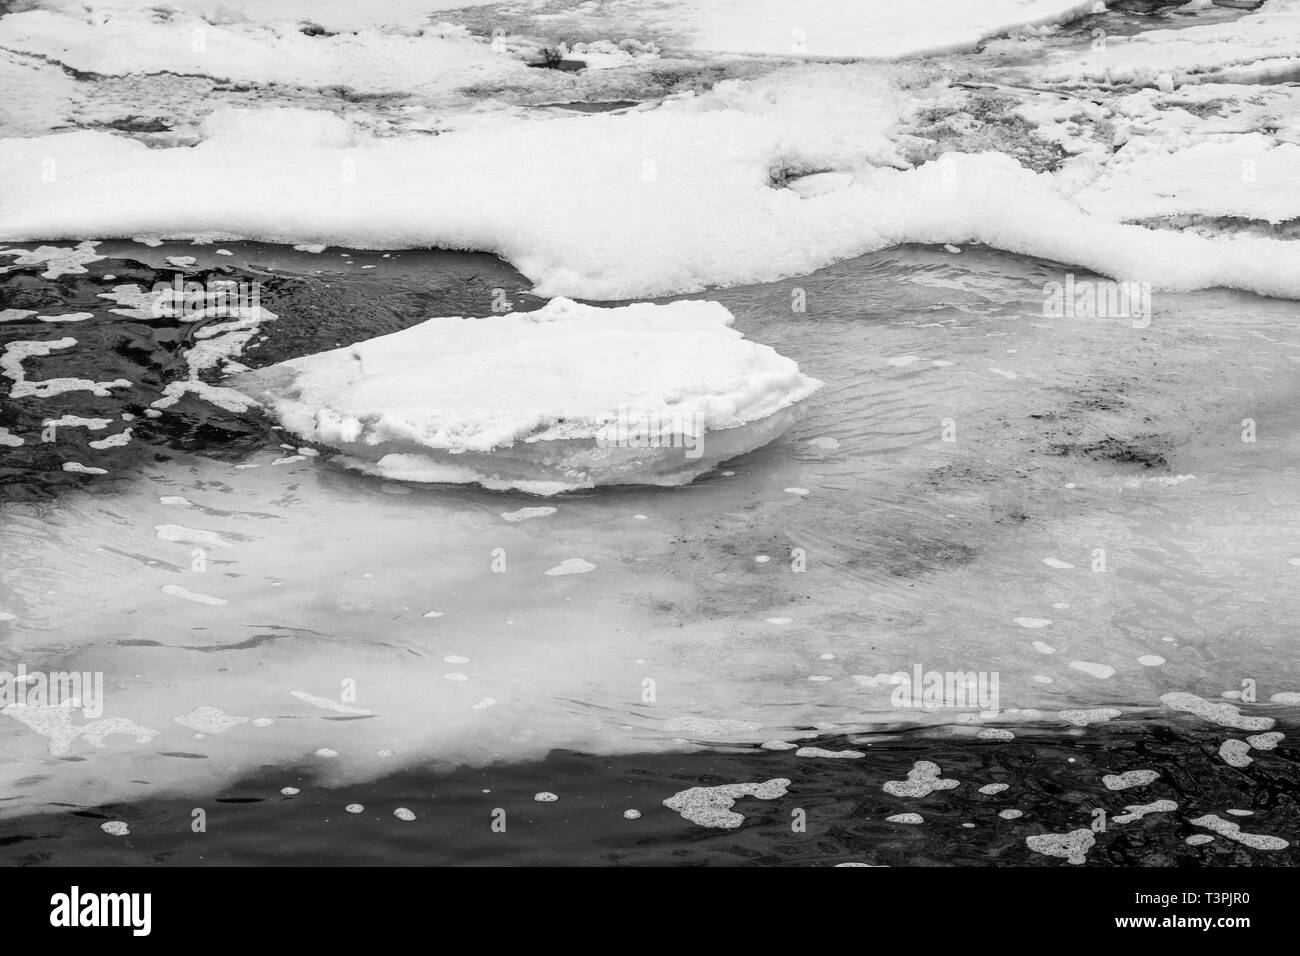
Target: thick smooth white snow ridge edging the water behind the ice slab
675 200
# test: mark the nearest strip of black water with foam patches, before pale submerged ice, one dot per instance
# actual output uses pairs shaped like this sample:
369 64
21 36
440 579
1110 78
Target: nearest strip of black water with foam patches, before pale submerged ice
834 814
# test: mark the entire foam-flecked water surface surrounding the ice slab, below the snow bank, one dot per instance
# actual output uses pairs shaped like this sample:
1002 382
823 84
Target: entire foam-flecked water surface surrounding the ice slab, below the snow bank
1074 436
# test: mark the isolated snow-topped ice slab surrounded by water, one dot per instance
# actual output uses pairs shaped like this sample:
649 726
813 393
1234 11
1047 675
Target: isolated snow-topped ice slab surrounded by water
566 397
